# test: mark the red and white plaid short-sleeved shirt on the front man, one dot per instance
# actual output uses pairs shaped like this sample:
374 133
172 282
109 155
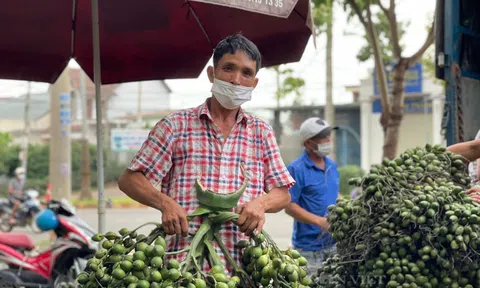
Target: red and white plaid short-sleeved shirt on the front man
187 143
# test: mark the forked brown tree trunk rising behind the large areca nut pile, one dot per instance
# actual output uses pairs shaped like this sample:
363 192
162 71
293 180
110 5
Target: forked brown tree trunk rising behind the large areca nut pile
383 34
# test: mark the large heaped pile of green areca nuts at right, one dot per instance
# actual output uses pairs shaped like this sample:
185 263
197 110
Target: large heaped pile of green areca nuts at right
412 226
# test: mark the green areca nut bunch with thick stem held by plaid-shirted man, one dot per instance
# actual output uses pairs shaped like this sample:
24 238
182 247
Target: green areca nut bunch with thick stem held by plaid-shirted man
128 260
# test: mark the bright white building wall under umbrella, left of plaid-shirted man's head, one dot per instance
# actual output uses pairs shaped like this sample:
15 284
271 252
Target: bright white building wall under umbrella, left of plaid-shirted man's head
155 97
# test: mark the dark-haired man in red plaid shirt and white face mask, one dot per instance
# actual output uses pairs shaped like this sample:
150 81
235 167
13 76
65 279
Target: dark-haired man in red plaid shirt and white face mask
213 141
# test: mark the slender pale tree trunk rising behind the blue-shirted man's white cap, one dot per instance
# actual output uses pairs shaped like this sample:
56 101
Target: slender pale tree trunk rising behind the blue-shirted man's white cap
323 21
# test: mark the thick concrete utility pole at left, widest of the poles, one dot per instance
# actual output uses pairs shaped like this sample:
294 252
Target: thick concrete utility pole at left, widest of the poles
60 143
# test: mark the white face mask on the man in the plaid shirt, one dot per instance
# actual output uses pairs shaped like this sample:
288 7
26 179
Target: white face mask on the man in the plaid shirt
230 96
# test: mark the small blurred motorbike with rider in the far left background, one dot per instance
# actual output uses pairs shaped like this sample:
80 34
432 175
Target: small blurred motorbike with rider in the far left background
25 214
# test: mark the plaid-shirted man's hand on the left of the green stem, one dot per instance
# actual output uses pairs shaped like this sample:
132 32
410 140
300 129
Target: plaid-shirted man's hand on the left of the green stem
174 218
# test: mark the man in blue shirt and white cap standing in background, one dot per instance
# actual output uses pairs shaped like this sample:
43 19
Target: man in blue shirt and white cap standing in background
317 187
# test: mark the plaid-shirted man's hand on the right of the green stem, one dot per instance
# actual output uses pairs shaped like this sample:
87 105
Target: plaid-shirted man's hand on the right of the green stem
252 216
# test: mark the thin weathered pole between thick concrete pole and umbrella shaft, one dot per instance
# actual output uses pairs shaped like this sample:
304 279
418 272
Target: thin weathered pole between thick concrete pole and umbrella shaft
85 192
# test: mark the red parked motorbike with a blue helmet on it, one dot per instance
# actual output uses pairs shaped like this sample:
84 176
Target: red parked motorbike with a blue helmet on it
59 265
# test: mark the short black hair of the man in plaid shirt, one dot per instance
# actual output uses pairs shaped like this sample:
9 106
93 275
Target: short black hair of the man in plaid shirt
236 42
